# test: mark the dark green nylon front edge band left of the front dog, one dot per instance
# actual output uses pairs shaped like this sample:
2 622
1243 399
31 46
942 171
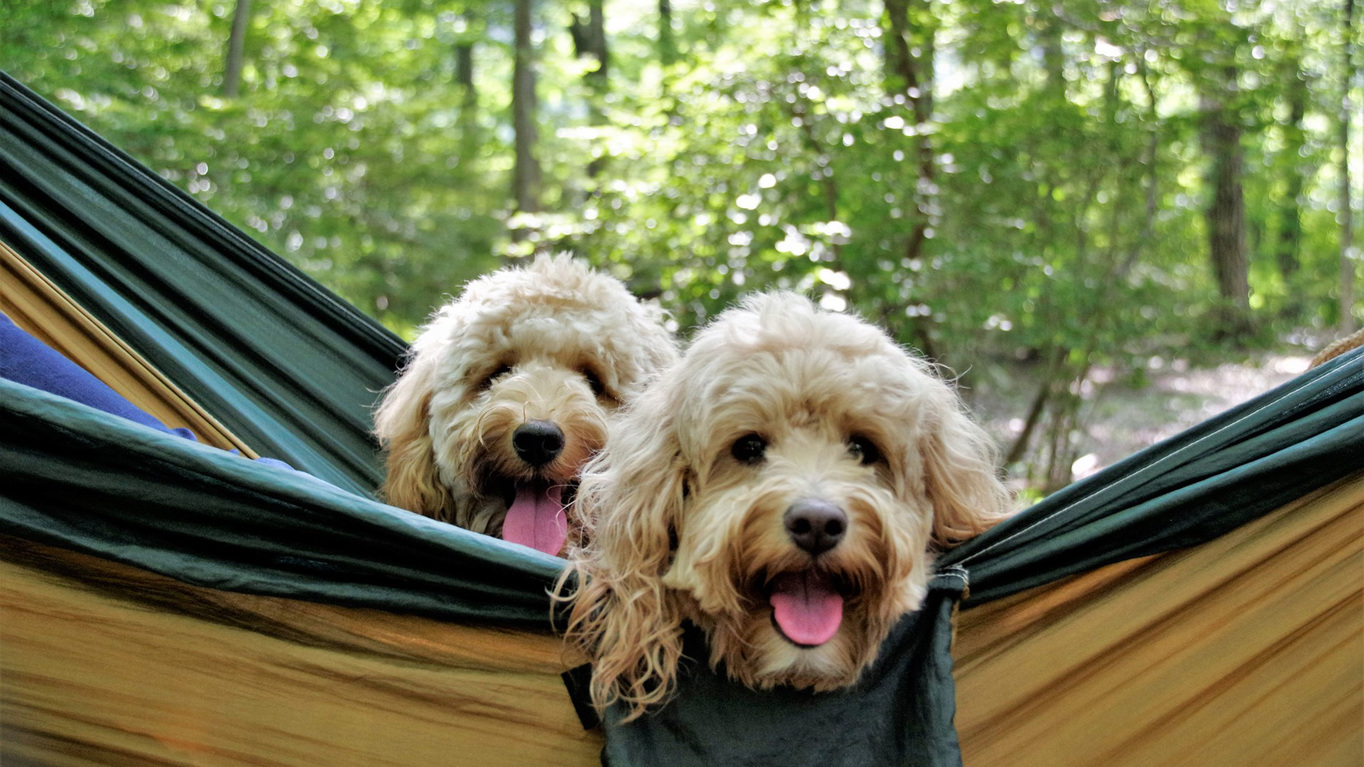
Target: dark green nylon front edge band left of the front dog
84 480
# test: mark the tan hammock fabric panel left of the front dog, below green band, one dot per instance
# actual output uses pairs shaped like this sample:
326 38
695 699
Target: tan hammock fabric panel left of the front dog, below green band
102 664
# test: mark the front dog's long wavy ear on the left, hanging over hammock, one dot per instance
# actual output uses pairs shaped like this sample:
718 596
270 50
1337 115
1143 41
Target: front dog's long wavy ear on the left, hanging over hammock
631 499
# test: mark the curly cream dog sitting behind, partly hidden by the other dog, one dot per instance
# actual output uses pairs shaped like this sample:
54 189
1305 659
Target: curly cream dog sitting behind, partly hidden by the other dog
507 395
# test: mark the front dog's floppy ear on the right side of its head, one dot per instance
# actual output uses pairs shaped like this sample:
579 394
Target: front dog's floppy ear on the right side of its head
961 476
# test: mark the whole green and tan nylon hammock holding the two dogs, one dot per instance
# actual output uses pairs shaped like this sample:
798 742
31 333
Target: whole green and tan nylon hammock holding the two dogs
99 514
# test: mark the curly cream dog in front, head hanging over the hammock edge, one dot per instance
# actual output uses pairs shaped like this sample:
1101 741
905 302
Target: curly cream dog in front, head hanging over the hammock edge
782 488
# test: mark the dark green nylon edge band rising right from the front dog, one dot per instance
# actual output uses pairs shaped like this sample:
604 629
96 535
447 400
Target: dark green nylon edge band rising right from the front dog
1186 491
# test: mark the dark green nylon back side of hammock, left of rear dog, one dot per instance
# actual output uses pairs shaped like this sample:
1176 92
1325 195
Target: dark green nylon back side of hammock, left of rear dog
282 362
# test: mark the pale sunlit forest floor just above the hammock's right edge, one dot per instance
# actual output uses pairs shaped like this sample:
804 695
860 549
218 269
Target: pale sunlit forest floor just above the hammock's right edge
1121 418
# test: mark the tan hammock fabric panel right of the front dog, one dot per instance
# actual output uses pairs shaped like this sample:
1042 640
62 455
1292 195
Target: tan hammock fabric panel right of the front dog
1247 650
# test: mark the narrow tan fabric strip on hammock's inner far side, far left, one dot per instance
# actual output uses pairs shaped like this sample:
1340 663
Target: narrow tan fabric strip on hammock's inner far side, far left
47 313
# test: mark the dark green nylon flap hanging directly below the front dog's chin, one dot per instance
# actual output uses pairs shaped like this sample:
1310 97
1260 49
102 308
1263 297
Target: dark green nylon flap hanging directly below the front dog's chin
901 713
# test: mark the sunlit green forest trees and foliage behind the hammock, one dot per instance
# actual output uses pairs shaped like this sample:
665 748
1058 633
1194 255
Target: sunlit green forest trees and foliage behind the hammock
1046 197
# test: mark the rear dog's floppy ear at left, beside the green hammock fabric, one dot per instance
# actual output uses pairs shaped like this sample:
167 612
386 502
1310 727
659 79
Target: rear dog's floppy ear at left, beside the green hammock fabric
402 424
